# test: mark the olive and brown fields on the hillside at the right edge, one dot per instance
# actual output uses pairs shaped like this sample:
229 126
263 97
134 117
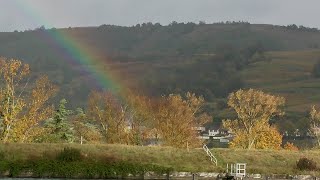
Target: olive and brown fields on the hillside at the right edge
287 74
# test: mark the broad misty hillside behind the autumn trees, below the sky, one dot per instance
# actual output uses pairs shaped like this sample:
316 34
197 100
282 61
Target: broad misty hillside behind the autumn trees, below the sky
209 59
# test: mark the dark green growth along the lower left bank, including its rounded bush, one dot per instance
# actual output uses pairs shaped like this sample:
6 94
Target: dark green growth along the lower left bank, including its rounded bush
70 163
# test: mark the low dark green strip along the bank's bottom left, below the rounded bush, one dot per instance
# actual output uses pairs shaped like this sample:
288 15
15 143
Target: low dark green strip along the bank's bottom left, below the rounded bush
78 169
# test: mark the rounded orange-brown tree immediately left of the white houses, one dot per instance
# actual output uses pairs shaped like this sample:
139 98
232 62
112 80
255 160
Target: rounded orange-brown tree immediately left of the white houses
176 120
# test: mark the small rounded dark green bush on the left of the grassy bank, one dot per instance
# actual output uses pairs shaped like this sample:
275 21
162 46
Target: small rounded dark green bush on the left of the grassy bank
70 155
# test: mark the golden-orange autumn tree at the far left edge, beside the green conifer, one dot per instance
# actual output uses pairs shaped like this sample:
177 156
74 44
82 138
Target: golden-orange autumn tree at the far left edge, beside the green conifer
21 111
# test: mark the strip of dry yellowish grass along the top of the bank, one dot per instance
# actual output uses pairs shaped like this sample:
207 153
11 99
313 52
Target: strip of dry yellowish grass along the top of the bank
194 160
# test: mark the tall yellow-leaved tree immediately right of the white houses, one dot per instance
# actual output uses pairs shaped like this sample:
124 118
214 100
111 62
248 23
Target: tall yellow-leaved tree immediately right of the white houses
254 109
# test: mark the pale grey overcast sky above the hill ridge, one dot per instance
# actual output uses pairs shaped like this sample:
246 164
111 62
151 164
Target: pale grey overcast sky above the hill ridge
29 14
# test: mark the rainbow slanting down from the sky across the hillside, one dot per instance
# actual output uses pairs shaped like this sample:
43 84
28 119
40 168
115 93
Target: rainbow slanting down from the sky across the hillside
78 52
